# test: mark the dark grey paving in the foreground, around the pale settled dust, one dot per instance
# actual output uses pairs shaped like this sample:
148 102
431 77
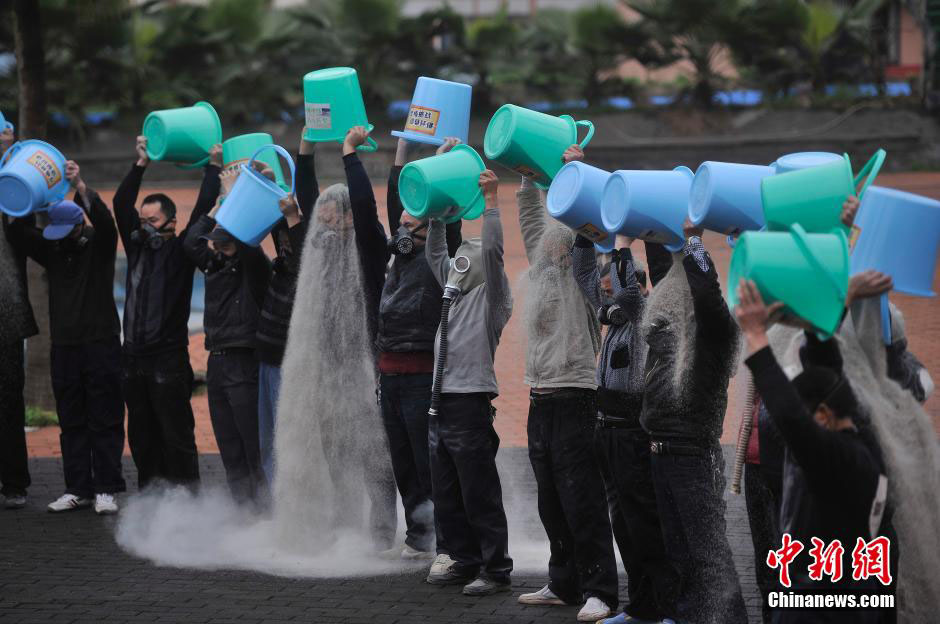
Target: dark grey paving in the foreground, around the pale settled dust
68 568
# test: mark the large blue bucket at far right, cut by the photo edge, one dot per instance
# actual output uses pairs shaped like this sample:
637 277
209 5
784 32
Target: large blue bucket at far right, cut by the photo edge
898 233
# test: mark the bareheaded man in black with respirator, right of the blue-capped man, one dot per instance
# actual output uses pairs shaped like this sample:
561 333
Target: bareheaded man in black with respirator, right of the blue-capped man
157 376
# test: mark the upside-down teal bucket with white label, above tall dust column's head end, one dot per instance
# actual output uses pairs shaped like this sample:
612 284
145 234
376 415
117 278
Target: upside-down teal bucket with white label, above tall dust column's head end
333 104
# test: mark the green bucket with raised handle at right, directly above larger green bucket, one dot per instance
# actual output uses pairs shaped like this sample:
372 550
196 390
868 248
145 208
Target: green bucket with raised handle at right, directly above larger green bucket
813 197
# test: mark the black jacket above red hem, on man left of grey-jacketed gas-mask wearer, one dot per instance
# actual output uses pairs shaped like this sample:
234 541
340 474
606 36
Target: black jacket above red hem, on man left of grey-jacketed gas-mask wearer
410 307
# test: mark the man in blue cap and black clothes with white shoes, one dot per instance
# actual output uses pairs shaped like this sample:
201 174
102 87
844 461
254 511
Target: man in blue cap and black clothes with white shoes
86 347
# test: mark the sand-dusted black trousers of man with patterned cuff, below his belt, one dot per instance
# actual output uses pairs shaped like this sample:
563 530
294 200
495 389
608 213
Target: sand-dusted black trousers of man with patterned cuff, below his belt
689 493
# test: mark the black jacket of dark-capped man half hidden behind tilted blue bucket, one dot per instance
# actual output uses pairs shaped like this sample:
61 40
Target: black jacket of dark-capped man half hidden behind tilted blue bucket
234 290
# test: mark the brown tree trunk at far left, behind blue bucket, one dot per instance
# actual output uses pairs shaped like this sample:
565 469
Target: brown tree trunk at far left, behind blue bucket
31 80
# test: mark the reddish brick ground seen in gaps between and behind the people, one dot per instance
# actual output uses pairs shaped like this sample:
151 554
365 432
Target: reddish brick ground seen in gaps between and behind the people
922 315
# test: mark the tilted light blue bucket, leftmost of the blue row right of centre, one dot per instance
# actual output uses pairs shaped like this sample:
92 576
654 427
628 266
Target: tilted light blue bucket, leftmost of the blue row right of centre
574 198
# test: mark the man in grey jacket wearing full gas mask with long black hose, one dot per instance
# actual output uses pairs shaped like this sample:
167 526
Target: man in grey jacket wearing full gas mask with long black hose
463 444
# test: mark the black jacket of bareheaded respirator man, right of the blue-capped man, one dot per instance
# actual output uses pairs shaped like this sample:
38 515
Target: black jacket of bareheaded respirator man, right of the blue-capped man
159 281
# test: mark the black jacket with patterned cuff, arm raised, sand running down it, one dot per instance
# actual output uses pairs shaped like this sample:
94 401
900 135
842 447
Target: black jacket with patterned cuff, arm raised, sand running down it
700 411
